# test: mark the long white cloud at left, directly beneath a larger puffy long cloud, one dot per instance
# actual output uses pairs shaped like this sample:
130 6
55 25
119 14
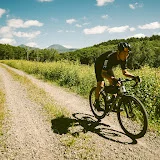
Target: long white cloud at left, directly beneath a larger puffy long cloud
27 35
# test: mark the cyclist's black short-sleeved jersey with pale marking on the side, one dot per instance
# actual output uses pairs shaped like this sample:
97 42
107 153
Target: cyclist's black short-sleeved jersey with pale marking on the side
109 60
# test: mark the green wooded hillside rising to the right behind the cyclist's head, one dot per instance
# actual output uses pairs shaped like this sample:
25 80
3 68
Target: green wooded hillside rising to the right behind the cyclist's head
145 51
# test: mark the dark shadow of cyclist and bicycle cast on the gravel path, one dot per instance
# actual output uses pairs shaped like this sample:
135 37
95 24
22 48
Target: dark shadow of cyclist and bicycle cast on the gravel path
87 123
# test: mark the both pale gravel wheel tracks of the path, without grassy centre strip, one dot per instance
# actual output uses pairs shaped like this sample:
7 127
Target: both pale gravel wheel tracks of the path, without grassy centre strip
30 137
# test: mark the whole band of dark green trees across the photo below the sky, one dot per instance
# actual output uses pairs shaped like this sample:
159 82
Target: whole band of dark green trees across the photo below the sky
145 51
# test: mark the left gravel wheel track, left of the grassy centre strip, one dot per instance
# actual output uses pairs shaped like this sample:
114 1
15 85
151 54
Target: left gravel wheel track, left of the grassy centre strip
29 137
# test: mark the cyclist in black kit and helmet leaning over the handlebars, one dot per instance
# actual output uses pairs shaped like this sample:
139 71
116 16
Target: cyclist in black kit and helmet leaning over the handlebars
103 68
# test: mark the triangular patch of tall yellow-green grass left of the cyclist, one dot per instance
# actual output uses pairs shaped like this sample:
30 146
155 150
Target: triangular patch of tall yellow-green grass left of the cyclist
71 75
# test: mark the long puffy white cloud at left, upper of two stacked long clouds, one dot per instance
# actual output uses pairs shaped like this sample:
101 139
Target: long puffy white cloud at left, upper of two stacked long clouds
19 23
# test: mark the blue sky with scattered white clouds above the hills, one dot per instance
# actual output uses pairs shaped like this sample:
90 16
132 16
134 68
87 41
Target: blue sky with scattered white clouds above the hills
76 23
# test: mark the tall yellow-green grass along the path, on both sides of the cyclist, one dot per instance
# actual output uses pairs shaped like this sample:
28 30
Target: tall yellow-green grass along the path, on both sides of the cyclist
82 78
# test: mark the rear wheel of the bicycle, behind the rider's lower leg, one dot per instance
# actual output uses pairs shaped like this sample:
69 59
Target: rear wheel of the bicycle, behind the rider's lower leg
102 103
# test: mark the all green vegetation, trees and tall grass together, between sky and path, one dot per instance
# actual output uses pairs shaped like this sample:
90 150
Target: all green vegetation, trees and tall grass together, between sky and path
75 70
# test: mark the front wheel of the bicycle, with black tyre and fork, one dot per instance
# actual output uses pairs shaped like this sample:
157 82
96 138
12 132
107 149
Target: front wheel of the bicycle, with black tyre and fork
132 117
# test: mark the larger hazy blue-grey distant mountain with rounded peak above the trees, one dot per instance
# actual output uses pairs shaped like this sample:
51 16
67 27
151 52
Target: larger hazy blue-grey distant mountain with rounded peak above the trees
61 48
